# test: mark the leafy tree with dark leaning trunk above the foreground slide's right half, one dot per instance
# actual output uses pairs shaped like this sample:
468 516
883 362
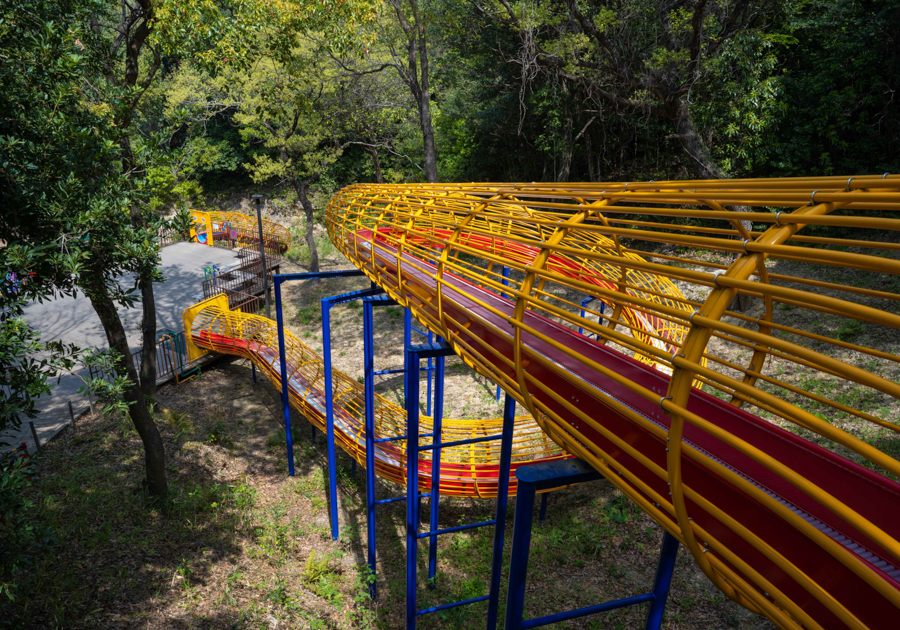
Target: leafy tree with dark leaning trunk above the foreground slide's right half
656 59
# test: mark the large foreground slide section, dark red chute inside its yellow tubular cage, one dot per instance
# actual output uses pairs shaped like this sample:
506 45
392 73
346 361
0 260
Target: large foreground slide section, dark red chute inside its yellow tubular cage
788 528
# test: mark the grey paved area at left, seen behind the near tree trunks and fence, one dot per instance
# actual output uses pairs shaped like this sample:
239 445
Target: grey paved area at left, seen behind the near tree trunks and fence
73 320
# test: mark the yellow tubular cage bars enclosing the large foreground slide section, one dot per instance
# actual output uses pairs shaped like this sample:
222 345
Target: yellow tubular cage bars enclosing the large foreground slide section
776 296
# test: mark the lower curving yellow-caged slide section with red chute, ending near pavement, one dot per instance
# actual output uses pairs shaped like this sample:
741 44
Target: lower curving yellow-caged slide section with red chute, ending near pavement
469 470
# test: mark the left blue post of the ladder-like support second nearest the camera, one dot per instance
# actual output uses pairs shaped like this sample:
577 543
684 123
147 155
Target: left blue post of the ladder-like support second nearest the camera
412 482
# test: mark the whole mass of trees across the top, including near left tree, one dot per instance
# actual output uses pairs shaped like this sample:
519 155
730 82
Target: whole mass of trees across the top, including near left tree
118 116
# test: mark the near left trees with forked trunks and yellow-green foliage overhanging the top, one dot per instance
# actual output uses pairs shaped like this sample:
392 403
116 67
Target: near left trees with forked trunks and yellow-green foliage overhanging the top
82 148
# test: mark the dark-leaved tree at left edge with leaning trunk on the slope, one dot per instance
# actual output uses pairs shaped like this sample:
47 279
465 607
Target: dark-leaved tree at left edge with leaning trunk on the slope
63 175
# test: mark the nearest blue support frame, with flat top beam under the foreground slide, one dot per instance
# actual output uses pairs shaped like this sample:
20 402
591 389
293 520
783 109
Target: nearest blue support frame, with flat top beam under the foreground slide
552 475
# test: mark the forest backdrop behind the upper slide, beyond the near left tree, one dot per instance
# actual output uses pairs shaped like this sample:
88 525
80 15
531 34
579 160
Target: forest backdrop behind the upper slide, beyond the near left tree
544 91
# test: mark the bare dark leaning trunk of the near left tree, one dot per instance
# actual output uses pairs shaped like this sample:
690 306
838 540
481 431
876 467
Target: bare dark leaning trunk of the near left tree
154 452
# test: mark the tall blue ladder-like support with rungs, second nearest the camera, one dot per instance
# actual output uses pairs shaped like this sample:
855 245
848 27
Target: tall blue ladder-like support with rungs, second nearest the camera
415 354
